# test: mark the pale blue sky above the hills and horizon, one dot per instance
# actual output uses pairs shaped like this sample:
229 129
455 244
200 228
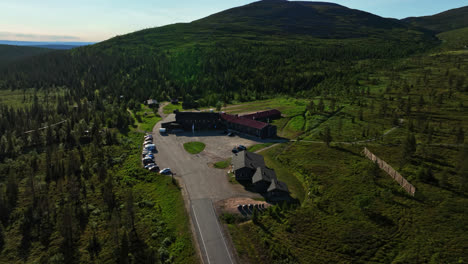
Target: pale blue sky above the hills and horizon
97 20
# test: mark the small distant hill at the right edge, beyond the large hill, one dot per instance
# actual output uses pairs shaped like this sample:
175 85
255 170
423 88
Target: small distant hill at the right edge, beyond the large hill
445 21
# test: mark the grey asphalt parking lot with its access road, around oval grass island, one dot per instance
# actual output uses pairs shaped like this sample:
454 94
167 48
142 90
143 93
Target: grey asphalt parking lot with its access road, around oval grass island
204 184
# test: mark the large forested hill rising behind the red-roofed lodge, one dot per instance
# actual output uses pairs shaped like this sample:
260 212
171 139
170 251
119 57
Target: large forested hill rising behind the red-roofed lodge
241 54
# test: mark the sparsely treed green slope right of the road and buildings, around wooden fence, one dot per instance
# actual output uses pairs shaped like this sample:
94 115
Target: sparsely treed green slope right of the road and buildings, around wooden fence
352 212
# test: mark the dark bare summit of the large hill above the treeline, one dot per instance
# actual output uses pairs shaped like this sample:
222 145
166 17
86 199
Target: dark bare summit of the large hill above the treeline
316 19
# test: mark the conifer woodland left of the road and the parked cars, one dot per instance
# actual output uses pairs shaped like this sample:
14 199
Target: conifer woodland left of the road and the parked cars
71 188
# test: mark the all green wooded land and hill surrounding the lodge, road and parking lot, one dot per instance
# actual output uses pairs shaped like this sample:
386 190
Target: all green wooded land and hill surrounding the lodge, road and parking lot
71 124
